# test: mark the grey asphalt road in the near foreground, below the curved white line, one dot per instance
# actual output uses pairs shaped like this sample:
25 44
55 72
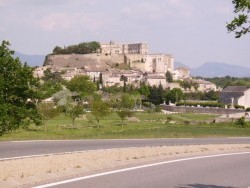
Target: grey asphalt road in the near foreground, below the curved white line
215 172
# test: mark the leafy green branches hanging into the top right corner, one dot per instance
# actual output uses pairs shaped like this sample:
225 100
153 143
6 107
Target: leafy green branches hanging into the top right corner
240 25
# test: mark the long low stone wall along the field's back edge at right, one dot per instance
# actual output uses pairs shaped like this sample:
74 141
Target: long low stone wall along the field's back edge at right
186 109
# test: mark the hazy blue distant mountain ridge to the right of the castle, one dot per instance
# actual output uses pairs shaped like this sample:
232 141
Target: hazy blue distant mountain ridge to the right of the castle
216 69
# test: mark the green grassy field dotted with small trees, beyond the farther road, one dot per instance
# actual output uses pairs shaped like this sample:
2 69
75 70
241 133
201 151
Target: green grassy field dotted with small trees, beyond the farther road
142 125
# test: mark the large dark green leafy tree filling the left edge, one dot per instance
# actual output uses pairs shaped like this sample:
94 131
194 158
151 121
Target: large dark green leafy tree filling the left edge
17 91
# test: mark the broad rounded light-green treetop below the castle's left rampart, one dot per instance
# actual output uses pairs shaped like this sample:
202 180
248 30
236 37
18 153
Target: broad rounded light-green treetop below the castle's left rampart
82 85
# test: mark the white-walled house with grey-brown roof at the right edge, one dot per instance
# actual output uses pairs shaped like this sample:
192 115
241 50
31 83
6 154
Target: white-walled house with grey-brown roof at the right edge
236 95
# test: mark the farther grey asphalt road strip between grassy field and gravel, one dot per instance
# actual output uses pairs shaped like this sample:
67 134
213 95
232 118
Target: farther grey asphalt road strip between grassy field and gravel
19 149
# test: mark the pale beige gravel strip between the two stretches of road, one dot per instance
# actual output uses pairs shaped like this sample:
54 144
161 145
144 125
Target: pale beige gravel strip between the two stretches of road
34 171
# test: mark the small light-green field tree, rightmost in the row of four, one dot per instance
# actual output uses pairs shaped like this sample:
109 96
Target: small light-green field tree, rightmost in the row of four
125 106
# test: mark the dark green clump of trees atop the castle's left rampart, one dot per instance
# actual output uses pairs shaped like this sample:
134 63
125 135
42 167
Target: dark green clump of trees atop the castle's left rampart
82 48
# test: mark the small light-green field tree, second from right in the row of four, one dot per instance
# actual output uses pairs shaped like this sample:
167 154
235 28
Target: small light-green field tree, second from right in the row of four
99 108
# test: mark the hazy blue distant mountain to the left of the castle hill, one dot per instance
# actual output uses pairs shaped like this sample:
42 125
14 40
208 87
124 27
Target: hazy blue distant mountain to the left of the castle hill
31 60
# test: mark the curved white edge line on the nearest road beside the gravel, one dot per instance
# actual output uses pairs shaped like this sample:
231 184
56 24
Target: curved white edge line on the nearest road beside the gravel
134 168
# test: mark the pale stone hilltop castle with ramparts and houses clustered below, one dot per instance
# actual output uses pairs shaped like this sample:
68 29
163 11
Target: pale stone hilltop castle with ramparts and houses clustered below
142 66
